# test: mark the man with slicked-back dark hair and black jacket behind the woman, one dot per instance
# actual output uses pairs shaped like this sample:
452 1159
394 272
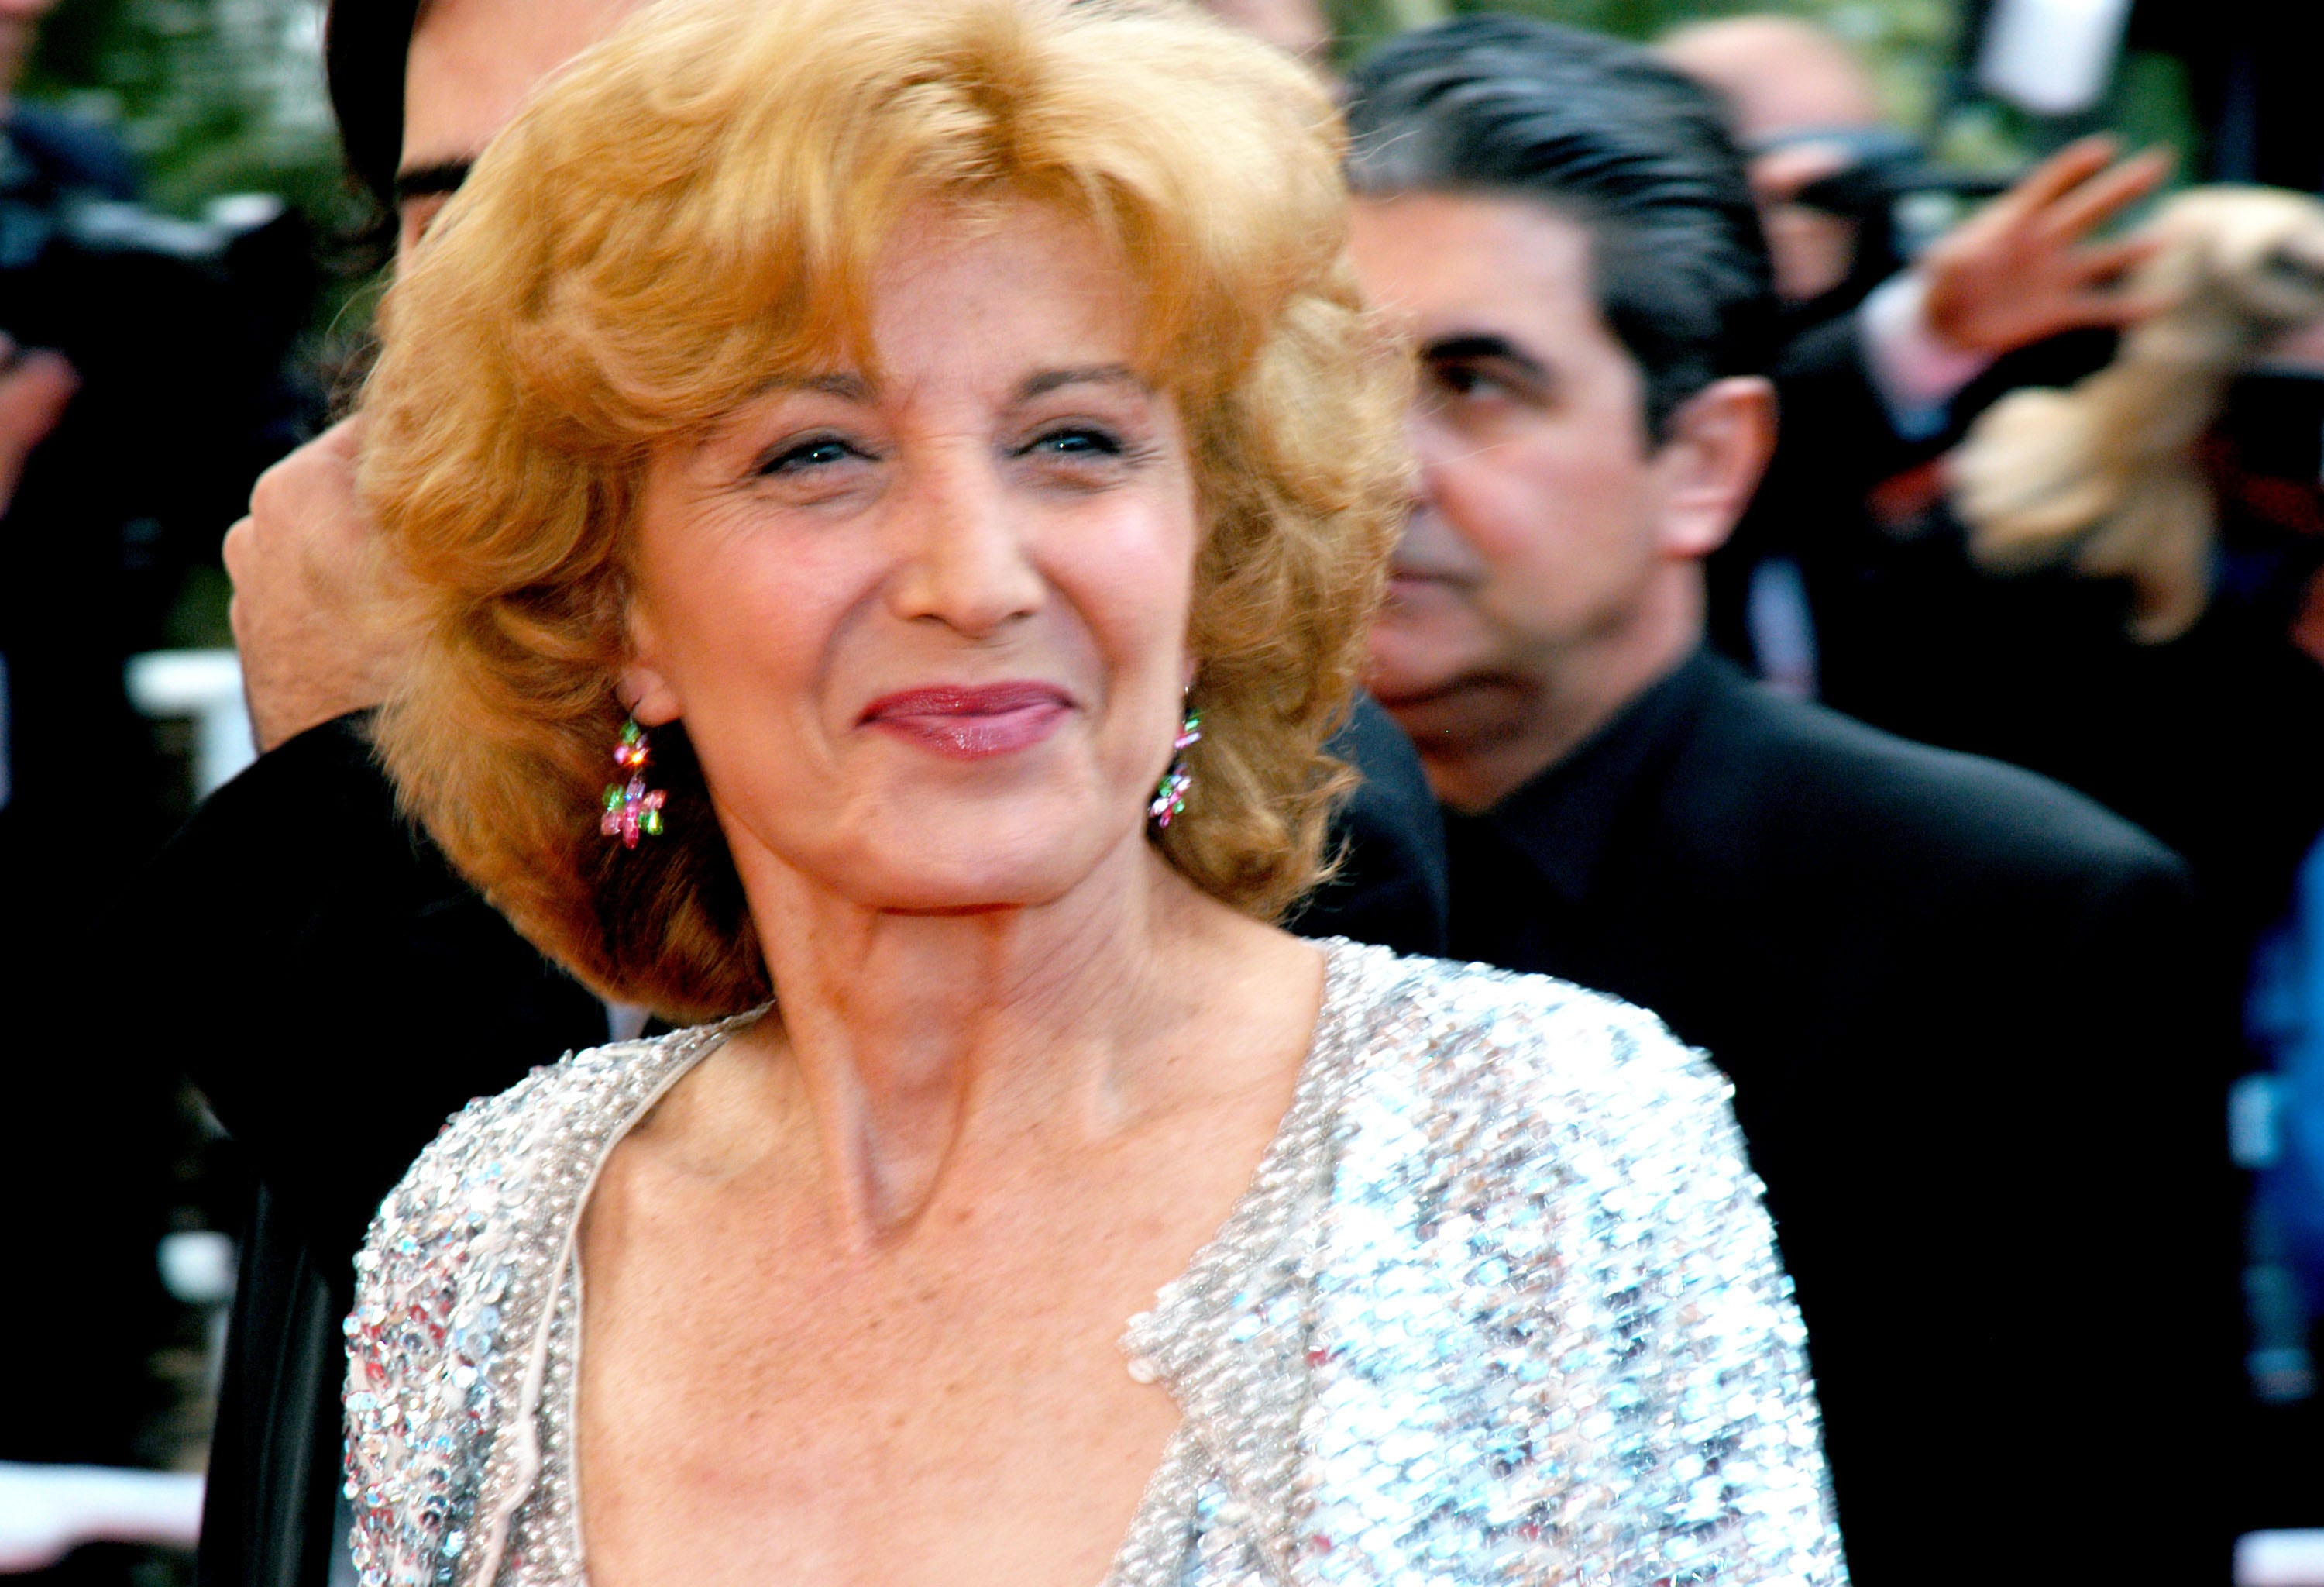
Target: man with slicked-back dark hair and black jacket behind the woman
1951 996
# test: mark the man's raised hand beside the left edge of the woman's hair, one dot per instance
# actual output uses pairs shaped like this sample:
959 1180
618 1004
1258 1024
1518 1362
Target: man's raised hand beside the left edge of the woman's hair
313 608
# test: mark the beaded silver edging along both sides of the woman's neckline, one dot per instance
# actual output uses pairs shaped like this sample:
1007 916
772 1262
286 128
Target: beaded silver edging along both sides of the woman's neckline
1170 1344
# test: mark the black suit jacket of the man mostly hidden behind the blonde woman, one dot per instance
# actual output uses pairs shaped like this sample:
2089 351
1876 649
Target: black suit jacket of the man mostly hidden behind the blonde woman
387 996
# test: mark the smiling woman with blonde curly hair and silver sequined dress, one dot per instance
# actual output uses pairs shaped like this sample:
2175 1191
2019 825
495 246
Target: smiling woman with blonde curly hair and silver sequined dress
896 491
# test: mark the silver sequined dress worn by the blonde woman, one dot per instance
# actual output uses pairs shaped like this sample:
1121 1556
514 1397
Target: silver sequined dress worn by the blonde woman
1498 1307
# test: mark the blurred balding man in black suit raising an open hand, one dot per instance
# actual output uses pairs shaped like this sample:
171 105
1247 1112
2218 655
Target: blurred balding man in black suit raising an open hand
2204 740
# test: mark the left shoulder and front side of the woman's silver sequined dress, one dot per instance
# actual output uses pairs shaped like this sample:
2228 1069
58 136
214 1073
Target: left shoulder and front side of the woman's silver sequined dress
454 1291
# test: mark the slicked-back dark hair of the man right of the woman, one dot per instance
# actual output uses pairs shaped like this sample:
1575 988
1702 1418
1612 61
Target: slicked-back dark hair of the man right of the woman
1605 134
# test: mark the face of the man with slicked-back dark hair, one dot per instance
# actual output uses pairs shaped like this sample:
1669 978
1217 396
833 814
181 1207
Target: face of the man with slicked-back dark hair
1535 522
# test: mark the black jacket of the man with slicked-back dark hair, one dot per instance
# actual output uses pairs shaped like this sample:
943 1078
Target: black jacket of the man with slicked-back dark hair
1958 1014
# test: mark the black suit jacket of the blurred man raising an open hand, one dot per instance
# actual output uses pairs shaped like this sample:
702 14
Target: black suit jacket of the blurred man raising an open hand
2214 742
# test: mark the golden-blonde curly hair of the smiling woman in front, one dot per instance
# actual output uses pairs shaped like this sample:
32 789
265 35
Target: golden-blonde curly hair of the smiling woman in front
696 208
